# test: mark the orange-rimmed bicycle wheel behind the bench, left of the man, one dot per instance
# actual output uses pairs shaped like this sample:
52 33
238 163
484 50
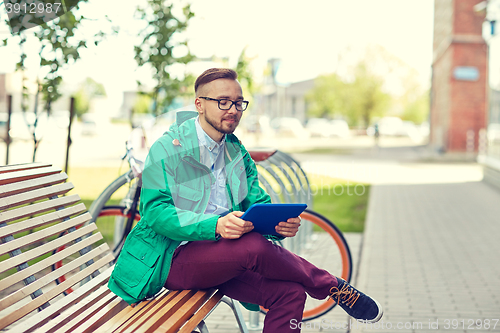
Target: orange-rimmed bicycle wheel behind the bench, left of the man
107 220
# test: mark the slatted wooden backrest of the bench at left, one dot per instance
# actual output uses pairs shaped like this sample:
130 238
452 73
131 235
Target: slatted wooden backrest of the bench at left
35 211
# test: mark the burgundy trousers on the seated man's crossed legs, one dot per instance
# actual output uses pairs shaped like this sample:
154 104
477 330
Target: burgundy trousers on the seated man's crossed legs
254 270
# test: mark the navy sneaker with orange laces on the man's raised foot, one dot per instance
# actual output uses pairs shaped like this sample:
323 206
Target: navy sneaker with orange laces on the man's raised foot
355 303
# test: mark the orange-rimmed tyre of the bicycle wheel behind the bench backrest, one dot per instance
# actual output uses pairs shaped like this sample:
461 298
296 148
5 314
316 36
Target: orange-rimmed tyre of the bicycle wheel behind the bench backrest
106 212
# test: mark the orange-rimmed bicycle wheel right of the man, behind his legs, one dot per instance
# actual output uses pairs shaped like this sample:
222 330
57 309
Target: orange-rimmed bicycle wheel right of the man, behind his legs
326 248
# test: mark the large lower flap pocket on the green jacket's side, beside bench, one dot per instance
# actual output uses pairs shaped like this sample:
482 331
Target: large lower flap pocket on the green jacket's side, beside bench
135 266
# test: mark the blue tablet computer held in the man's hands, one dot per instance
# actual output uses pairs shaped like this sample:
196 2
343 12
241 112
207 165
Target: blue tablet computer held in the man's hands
265 217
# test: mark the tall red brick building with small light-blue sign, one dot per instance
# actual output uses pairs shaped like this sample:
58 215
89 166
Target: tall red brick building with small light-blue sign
460 76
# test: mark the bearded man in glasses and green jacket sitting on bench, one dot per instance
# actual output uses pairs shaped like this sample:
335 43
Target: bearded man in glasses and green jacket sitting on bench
198 180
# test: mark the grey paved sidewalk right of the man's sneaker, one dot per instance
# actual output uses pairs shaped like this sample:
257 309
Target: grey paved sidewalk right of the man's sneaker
431 257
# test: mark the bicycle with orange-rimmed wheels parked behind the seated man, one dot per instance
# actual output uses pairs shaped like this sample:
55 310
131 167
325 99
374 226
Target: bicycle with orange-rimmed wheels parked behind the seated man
318 240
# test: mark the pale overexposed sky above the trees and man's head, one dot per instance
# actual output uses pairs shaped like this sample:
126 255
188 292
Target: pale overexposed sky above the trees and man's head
307 36
